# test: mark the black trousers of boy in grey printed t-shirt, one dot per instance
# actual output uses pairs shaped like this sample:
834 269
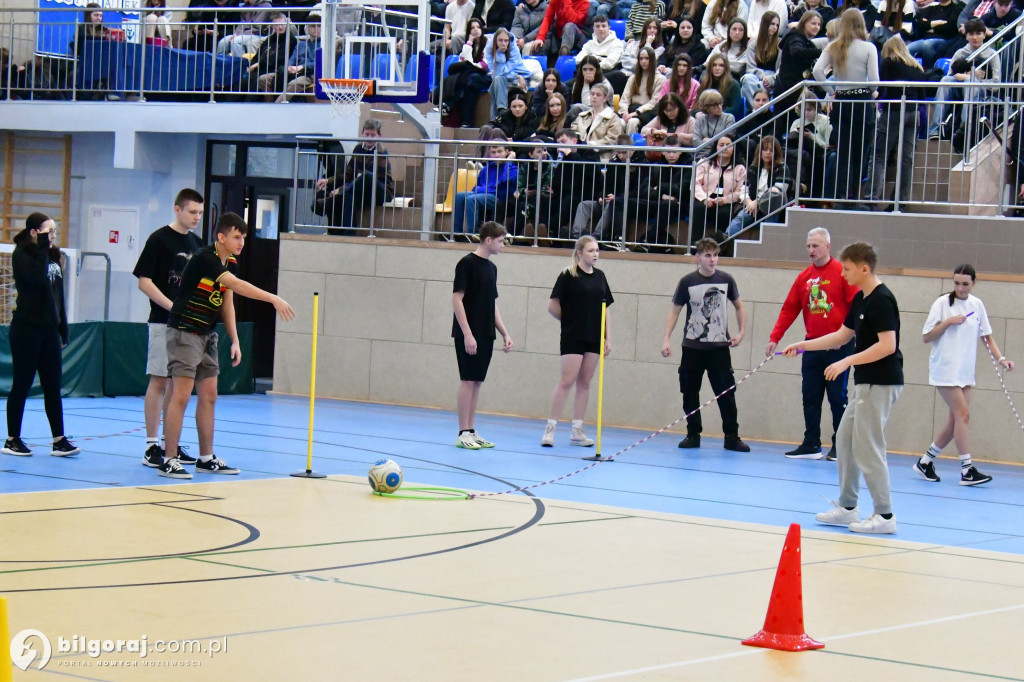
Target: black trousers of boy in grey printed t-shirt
718 364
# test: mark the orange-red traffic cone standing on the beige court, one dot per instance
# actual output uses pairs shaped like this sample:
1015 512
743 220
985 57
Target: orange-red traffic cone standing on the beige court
784 628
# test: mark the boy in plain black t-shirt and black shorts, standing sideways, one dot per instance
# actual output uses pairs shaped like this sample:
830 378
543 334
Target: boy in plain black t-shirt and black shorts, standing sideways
475 299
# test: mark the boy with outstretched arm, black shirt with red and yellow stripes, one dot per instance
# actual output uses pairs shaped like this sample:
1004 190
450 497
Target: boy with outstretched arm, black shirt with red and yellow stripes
206 297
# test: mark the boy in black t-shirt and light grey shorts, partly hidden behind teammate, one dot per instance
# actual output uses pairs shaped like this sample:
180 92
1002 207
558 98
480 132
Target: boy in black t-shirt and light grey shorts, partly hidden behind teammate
159 272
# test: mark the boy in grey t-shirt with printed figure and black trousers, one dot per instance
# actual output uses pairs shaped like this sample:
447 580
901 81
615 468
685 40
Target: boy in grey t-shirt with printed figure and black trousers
707 344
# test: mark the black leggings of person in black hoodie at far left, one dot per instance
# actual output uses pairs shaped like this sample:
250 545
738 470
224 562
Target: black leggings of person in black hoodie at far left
34 349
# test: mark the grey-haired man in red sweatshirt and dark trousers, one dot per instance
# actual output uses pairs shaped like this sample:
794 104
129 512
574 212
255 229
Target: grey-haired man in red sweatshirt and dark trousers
824 297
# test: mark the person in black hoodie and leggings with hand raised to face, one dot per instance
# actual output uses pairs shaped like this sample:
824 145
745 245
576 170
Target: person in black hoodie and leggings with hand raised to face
38 332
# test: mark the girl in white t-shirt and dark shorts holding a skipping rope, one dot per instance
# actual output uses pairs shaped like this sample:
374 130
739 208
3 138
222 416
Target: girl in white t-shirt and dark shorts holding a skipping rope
955 323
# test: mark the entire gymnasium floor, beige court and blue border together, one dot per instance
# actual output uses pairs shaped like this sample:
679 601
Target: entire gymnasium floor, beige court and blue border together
652 568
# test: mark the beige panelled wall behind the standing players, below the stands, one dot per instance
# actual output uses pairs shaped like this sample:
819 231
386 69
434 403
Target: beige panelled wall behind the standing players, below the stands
386 321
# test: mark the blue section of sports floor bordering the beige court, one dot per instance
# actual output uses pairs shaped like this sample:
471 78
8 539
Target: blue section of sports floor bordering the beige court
266 437
